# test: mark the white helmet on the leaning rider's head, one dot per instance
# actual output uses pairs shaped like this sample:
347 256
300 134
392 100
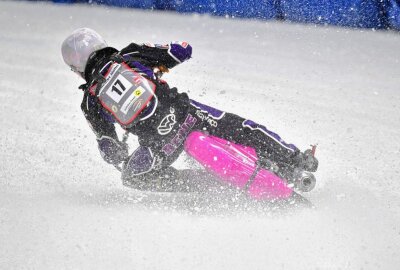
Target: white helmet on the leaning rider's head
77 47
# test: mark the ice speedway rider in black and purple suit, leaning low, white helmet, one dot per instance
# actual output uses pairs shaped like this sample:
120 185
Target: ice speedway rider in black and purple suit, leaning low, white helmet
163 120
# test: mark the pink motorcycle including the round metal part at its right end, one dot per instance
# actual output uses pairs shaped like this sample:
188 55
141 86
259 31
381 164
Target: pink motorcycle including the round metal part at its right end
239 166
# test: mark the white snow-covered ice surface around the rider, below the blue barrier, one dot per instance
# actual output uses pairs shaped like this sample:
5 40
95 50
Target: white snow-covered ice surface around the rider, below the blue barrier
62 207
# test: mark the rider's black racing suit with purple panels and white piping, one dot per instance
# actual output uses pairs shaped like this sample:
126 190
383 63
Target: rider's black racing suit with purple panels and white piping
170 117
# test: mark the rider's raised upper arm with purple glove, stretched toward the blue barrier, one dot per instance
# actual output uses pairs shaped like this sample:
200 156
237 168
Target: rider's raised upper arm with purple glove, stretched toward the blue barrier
155 55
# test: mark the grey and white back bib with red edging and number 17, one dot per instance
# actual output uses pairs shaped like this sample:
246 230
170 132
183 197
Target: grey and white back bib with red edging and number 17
125 93
